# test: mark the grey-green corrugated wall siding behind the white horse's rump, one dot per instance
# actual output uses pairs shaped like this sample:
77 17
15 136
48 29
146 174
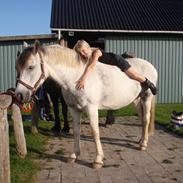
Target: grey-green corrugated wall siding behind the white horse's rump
165 53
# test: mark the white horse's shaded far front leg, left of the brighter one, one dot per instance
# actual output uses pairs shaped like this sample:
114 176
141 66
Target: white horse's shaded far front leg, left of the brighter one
76 130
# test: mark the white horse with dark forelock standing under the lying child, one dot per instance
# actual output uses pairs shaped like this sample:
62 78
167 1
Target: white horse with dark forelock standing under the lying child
107 87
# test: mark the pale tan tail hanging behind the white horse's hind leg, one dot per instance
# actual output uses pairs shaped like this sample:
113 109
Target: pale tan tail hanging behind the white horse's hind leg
152 117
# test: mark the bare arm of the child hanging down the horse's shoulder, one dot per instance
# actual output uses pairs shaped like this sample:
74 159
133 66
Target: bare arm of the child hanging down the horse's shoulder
90 66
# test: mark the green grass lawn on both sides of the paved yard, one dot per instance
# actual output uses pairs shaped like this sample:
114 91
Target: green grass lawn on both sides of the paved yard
22 170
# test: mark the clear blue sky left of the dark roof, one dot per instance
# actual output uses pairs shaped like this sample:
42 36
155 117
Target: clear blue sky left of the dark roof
25 17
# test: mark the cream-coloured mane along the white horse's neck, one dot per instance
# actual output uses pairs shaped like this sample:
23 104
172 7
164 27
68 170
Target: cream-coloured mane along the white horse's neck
61 55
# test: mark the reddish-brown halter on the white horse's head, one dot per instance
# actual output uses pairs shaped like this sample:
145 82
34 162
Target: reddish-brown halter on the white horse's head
42 76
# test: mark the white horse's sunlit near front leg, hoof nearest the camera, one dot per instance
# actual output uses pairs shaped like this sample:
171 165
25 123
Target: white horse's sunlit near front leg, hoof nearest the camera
93 116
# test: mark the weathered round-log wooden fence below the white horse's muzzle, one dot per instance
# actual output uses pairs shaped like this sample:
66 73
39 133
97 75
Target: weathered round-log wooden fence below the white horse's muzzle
5 102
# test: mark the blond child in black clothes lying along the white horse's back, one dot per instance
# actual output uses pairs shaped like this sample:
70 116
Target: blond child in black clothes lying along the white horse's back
96 54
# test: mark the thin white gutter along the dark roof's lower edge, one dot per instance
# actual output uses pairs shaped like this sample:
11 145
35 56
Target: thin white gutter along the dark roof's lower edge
118 31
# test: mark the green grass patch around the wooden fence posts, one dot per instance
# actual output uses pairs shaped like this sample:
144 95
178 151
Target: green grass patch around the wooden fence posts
22 170
